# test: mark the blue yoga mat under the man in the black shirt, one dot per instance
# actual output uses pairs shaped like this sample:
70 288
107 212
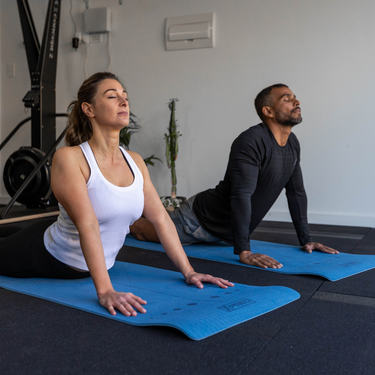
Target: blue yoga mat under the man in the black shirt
295 261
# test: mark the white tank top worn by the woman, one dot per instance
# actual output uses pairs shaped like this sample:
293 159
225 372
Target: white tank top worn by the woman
116 208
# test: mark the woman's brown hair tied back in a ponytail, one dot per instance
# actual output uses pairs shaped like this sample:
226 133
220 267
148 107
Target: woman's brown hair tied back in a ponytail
79 127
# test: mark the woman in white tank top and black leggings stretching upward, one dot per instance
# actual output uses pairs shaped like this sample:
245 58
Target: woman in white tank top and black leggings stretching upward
101 189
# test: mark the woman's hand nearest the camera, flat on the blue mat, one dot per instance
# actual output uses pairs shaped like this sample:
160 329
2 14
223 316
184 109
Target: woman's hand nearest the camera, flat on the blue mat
123 302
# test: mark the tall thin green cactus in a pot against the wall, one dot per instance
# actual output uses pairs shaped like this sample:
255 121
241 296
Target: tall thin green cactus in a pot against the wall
171 151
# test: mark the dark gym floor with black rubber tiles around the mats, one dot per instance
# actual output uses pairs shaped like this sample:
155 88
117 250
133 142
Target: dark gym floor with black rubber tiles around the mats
329 330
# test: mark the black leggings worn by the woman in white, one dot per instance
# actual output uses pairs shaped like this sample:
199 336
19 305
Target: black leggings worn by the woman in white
23 254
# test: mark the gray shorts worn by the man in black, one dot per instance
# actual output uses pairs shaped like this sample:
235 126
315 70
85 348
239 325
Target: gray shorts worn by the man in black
188 227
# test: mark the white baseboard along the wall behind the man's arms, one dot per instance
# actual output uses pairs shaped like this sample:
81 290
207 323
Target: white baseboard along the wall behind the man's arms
326 219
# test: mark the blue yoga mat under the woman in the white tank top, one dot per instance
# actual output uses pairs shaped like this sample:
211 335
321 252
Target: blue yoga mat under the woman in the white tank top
198 313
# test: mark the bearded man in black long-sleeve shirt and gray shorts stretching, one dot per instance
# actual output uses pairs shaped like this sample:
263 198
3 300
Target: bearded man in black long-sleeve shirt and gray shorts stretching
263 161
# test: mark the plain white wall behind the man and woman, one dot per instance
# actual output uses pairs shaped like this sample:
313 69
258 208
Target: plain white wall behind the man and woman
322 49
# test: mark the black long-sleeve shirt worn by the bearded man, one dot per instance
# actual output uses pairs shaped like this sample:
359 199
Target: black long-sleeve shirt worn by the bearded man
258 170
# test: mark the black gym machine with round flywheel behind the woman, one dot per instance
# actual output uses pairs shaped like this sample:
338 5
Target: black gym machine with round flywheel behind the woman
27 176
